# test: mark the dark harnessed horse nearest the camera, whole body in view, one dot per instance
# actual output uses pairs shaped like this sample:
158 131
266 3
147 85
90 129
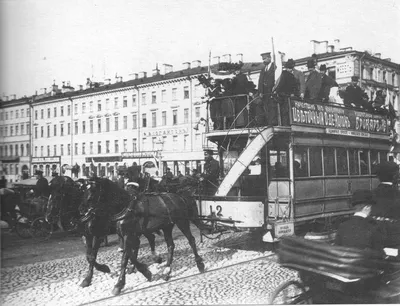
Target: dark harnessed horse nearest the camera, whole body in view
145 214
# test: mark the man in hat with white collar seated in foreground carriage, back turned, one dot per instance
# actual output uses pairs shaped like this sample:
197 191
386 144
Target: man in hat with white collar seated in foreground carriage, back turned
359 231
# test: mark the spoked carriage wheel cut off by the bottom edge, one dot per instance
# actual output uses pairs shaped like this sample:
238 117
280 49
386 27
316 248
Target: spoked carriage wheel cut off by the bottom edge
291 292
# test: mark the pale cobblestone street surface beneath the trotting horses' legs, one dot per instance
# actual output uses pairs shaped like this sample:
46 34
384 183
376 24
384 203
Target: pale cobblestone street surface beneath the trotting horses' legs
56 282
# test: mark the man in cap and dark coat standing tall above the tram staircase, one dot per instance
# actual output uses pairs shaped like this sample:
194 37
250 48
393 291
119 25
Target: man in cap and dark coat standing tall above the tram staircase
267 112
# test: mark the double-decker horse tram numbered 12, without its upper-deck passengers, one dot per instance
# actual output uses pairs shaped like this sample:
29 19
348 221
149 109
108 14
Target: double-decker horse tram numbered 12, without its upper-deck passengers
282 177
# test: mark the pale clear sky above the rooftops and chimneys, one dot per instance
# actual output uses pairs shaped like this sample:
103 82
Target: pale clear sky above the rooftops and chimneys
46 41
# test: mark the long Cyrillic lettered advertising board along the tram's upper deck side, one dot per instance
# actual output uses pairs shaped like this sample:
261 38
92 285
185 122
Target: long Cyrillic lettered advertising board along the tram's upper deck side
338 120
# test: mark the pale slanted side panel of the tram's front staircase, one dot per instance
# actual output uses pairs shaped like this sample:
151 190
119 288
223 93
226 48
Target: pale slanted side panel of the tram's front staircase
244 160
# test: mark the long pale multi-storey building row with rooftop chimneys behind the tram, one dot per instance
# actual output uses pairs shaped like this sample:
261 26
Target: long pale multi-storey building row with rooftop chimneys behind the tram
152 121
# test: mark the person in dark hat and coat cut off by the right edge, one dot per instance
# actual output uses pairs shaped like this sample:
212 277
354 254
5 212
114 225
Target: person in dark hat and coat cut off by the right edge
387 197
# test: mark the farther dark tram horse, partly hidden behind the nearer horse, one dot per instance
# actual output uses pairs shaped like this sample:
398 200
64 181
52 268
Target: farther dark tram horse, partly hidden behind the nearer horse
68 196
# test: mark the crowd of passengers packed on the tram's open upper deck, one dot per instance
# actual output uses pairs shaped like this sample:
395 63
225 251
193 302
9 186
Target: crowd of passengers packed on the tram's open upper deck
235 102
